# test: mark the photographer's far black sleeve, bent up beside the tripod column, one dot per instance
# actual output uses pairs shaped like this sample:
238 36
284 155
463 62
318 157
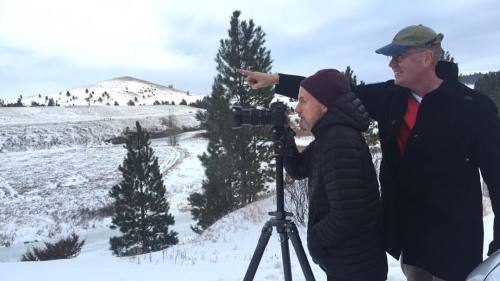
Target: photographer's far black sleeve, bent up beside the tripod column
297 164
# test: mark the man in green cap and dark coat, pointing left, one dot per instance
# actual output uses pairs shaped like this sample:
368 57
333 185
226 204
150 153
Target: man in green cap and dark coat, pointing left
436 133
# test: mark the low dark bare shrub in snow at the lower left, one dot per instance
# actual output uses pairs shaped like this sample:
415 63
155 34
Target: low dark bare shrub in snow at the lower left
65 248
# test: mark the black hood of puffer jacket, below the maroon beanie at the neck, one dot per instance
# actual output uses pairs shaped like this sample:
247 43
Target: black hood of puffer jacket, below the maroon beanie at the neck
346 110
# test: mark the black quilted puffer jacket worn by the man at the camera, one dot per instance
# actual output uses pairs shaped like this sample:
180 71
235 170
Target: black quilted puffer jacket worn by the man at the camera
344 228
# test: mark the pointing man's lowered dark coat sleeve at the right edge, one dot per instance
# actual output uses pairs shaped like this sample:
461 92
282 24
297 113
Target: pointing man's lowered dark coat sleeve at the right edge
488 148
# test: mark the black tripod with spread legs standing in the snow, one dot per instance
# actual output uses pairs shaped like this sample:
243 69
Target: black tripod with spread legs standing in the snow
281 220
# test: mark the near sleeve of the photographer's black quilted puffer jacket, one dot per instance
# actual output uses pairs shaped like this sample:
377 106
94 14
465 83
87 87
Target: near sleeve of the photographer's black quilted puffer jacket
347 193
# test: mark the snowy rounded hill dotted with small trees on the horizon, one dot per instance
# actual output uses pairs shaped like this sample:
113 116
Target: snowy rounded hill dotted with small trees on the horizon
117 91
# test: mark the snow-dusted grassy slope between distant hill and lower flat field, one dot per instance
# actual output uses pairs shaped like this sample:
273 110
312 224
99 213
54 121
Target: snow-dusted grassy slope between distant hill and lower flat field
31 128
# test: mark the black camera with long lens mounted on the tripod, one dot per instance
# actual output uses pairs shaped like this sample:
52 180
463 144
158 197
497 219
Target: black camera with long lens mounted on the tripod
249 116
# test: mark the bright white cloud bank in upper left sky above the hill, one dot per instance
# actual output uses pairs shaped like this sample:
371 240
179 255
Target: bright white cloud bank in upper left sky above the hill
93 33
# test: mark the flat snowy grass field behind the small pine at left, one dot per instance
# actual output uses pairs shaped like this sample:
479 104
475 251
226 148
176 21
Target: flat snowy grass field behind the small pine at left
46 189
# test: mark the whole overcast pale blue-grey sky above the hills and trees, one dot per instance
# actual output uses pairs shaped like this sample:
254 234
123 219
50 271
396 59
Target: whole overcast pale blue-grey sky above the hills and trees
51 45
